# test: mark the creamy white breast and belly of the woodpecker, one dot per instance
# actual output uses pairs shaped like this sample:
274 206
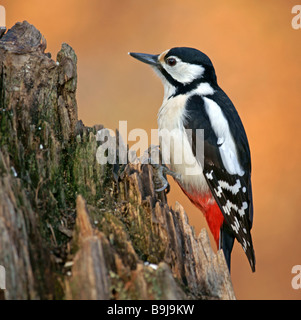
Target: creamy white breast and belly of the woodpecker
177 152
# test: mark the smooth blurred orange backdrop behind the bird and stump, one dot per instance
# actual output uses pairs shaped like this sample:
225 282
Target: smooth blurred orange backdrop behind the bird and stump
257 56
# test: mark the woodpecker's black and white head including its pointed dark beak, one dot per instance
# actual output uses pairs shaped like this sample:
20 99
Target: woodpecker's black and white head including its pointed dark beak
181 69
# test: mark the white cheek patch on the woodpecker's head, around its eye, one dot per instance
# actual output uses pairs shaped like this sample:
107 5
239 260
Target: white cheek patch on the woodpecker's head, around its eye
184 72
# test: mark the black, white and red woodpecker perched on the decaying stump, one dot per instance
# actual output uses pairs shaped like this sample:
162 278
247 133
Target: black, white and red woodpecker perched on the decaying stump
222 188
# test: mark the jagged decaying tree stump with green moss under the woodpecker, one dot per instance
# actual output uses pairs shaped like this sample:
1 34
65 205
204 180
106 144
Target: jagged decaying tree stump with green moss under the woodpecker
69 227
